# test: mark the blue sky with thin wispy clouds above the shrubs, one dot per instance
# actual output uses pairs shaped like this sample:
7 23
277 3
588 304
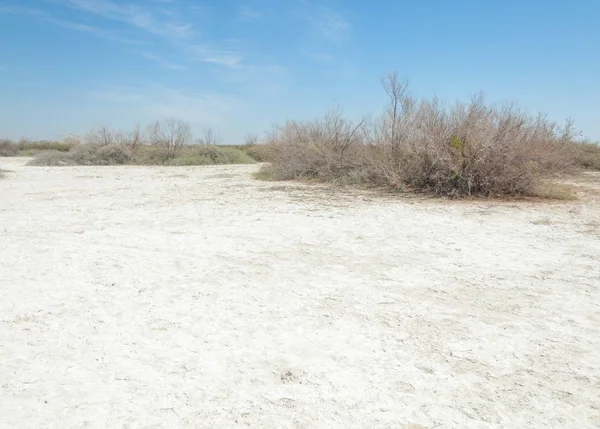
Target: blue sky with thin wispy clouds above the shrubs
240 66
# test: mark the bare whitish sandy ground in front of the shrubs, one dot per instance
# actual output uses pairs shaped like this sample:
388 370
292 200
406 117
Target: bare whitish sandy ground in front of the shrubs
138 297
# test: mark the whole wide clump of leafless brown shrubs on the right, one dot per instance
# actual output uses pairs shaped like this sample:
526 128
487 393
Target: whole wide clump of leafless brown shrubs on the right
469 149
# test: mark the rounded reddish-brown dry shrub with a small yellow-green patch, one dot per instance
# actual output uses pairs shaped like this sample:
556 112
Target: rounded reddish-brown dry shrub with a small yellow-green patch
469 149
